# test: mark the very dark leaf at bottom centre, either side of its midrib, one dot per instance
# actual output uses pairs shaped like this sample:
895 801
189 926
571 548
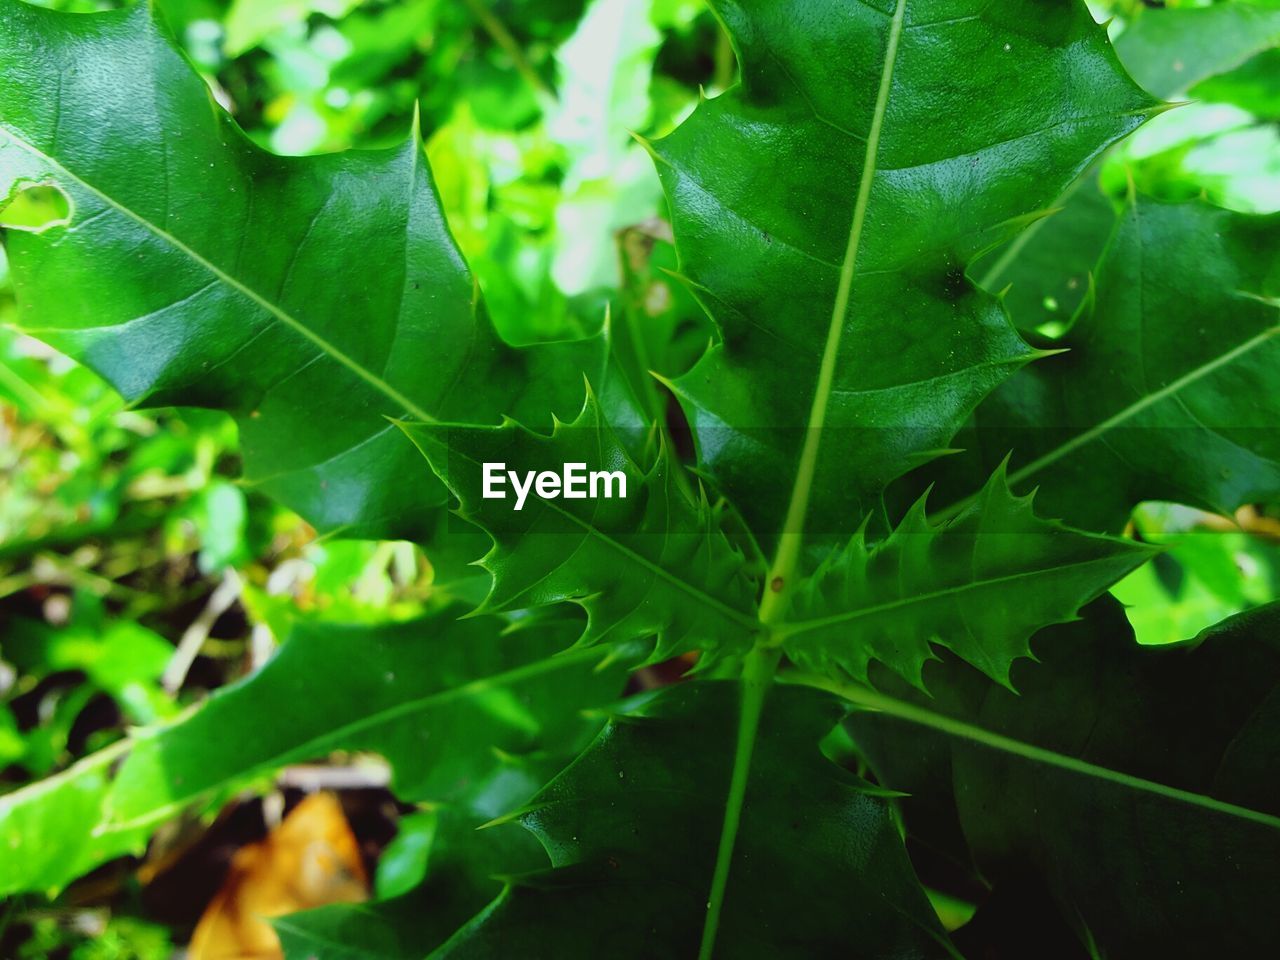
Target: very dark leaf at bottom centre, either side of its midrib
630 830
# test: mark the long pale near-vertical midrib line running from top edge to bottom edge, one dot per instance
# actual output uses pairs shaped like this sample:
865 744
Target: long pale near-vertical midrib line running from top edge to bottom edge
764 661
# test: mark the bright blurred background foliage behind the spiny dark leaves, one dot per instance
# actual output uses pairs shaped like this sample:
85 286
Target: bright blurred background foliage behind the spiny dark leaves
138 574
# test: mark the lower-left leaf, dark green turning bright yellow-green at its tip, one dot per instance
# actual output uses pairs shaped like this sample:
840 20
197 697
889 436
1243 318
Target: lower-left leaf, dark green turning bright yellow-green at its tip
446 702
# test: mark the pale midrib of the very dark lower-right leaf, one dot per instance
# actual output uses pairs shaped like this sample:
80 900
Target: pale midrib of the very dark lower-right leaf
909 712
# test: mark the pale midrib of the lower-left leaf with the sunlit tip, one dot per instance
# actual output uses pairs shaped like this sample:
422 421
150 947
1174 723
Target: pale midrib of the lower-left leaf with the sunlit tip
479 685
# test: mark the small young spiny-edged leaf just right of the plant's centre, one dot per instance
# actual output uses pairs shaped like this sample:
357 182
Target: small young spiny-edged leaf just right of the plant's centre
980 586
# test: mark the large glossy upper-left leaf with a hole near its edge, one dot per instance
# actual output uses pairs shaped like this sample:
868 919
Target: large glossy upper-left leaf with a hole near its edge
309 298
